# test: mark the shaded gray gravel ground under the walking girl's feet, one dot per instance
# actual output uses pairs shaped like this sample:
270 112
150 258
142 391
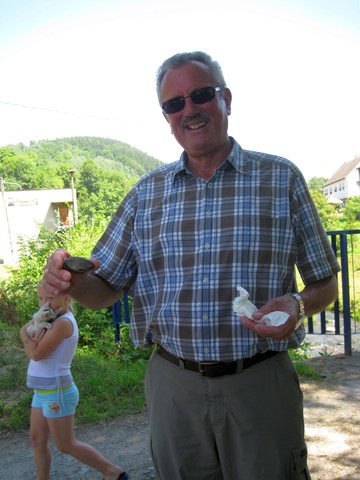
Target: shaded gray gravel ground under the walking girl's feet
122 440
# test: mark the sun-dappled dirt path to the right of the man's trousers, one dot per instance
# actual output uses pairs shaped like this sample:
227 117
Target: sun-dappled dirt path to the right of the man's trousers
332 418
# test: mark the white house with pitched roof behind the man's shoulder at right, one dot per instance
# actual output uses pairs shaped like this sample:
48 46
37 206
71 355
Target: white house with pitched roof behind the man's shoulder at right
345 182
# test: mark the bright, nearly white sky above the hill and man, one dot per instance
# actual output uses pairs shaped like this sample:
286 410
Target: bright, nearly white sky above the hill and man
87 68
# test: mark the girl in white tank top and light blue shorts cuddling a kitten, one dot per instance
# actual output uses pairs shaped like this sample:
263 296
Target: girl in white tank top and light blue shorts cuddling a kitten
55 394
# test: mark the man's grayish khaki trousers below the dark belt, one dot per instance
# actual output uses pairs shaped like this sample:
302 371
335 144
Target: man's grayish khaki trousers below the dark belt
246 426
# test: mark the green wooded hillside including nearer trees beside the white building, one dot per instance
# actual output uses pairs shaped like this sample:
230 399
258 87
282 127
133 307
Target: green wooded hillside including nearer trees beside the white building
105 170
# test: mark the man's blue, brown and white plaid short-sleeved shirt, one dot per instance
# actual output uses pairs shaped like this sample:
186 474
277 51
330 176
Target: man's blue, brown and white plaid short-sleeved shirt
181 244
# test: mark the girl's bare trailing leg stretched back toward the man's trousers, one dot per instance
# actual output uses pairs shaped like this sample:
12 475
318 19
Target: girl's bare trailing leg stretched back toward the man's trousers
62 430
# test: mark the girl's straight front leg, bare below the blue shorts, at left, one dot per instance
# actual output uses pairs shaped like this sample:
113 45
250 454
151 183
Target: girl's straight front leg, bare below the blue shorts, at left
39 436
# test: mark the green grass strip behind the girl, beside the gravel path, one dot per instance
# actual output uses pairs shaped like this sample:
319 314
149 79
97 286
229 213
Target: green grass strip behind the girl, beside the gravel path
108 388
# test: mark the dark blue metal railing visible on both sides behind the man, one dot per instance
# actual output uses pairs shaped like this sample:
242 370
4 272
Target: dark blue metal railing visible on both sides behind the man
121 314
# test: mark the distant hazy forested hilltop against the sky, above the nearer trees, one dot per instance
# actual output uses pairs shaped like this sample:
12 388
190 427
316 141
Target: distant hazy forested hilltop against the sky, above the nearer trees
106 153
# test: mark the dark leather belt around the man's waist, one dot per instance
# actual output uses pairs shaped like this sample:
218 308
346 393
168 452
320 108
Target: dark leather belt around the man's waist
215 369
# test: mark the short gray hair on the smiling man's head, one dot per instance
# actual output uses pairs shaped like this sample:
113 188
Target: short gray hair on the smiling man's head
180 59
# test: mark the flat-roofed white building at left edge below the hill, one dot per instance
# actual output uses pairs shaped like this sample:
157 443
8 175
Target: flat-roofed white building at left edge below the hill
23 212
